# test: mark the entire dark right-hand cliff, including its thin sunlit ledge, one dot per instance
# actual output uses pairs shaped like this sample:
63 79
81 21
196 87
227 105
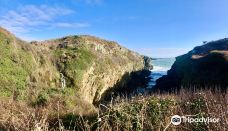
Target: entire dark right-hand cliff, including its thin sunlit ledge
204 66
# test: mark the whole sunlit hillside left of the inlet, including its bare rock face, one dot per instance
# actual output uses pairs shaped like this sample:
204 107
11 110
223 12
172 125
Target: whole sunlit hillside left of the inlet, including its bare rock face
86 66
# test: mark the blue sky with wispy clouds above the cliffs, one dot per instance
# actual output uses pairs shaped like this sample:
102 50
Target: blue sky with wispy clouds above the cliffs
158 28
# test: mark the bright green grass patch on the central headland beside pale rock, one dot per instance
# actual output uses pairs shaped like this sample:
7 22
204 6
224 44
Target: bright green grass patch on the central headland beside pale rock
78 61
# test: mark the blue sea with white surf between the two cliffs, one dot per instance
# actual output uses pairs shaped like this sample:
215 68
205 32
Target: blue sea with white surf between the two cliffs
160 68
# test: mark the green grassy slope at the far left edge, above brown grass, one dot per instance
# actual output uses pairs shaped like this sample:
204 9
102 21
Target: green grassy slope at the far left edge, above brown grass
15 66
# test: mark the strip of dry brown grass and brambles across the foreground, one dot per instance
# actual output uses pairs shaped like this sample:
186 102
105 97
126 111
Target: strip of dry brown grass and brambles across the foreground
140 113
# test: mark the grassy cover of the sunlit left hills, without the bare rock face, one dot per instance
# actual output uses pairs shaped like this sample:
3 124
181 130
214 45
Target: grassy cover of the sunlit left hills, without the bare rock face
30 73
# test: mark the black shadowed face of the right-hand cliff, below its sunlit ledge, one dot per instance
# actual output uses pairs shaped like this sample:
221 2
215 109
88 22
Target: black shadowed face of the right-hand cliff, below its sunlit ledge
209 72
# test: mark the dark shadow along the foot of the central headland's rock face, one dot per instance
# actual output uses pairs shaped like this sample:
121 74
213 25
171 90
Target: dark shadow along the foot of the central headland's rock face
127 86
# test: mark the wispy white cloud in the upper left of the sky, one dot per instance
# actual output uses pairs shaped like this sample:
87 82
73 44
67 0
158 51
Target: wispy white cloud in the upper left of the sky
30 17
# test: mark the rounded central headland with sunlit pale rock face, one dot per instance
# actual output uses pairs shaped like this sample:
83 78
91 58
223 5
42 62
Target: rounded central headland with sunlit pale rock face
91 65
